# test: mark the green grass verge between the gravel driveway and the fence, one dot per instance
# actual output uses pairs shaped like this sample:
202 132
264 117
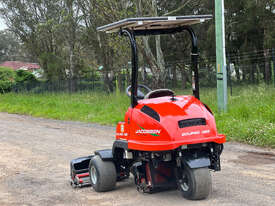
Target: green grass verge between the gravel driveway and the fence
250 119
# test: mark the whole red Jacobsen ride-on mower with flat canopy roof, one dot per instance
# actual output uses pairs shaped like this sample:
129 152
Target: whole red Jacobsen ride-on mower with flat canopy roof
165 141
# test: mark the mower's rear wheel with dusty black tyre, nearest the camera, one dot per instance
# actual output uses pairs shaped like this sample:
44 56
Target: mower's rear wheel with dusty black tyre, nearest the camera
195 184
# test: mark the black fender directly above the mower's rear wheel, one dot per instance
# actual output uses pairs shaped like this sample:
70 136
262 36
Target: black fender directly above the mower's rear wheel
196 160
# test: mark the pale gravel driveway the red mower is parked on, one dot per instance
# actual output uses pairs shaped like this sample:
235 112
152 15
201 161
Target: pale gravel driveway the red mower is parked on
34 168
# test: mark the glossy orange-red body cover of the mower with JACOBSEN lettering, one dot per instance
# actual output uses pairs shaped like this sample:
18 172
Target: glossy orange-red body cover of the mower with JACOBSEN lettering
145 133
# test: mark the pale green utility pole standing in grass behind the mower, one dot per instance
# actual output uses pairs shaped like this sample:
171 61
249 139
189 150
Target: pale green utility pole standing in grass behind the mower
220 56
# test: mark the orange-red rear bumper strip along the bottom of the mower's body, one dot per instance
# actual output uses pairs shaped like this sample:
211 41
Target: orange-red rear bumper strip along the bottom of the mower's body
171 145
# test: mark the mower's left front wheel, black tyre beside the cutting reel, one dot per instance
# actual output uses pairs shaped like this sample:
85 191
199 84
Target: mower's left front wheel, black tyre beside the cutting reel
102 174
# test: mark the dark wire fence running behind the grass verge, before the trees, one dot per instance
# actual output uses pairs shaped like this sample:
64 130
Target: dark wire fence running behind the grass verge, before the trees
253 67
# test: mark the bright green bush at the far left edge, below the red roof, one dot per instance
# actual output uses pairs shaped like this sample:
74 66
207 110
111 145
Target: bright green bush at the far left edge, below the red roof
7 79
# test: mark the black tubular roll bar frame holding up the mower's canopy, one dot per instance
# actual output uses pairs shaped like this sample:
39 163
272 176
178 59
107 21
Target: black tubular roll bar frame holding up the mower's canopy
194 56
